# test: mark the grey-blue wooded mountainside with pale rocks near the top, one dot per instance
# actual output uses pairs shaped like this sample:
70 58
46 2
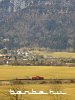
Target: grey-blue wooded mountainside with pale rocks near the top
37 23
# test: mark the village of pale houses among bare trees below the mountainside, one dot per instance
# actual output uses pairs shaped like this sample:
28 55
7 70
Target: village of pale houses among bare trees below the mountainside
27 56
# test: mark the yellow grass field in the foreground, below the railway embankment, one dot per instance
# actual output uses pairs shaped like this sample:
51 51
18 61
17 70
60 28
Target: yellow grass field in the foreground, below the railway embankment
67 88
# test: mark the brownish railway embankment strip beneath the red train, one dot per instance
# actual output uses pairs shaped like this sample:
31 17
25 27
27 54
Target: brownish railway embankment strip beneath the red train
30 81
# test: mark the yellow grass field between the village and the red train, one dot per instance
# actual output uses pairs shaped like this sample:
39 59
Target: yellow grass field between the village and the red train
48 72
